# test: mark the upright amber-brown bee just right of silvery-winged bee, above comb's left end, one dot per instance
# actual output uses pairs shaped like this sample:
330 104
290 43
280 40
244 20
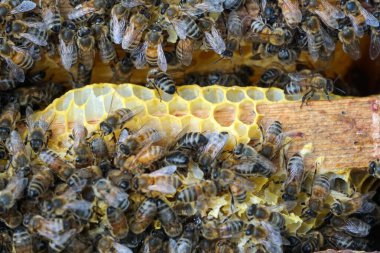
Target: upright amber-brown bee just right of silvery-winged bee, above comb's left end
86 47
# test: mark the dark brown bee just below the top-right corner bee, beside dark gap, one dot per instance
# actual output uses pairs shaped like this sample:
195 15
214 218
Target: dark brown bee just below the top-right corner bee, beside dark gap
350 42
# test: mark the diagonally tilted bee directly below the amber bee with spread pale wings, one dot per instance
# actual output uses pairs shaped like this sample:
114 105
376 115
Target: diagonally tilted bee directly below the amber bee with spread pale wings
144 216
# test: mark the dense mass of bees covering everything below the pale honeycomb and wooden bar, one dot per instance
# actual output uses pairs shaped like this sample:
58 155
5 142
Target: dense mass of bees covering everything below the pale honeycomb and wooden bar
120 189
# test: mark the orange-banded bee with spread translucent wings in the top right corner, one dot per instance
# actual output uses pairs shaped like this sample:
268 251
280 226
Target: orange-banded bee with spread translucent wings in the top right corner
359 17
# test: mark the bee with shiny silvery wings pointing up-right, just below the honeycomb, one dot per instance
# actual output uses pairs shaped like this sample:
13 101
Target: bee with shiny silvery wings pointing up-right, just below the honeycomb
213 148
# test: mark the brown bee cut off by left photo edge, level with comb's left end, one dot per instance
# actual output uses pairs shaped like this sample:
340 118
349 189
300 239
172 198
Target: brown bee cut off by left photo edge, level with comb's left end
8 120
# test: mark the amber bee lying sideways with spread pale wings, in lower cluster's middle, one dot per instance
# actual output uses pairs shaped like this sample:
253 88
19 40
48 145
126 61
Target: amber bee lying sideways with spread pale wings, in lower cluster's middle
161 180
